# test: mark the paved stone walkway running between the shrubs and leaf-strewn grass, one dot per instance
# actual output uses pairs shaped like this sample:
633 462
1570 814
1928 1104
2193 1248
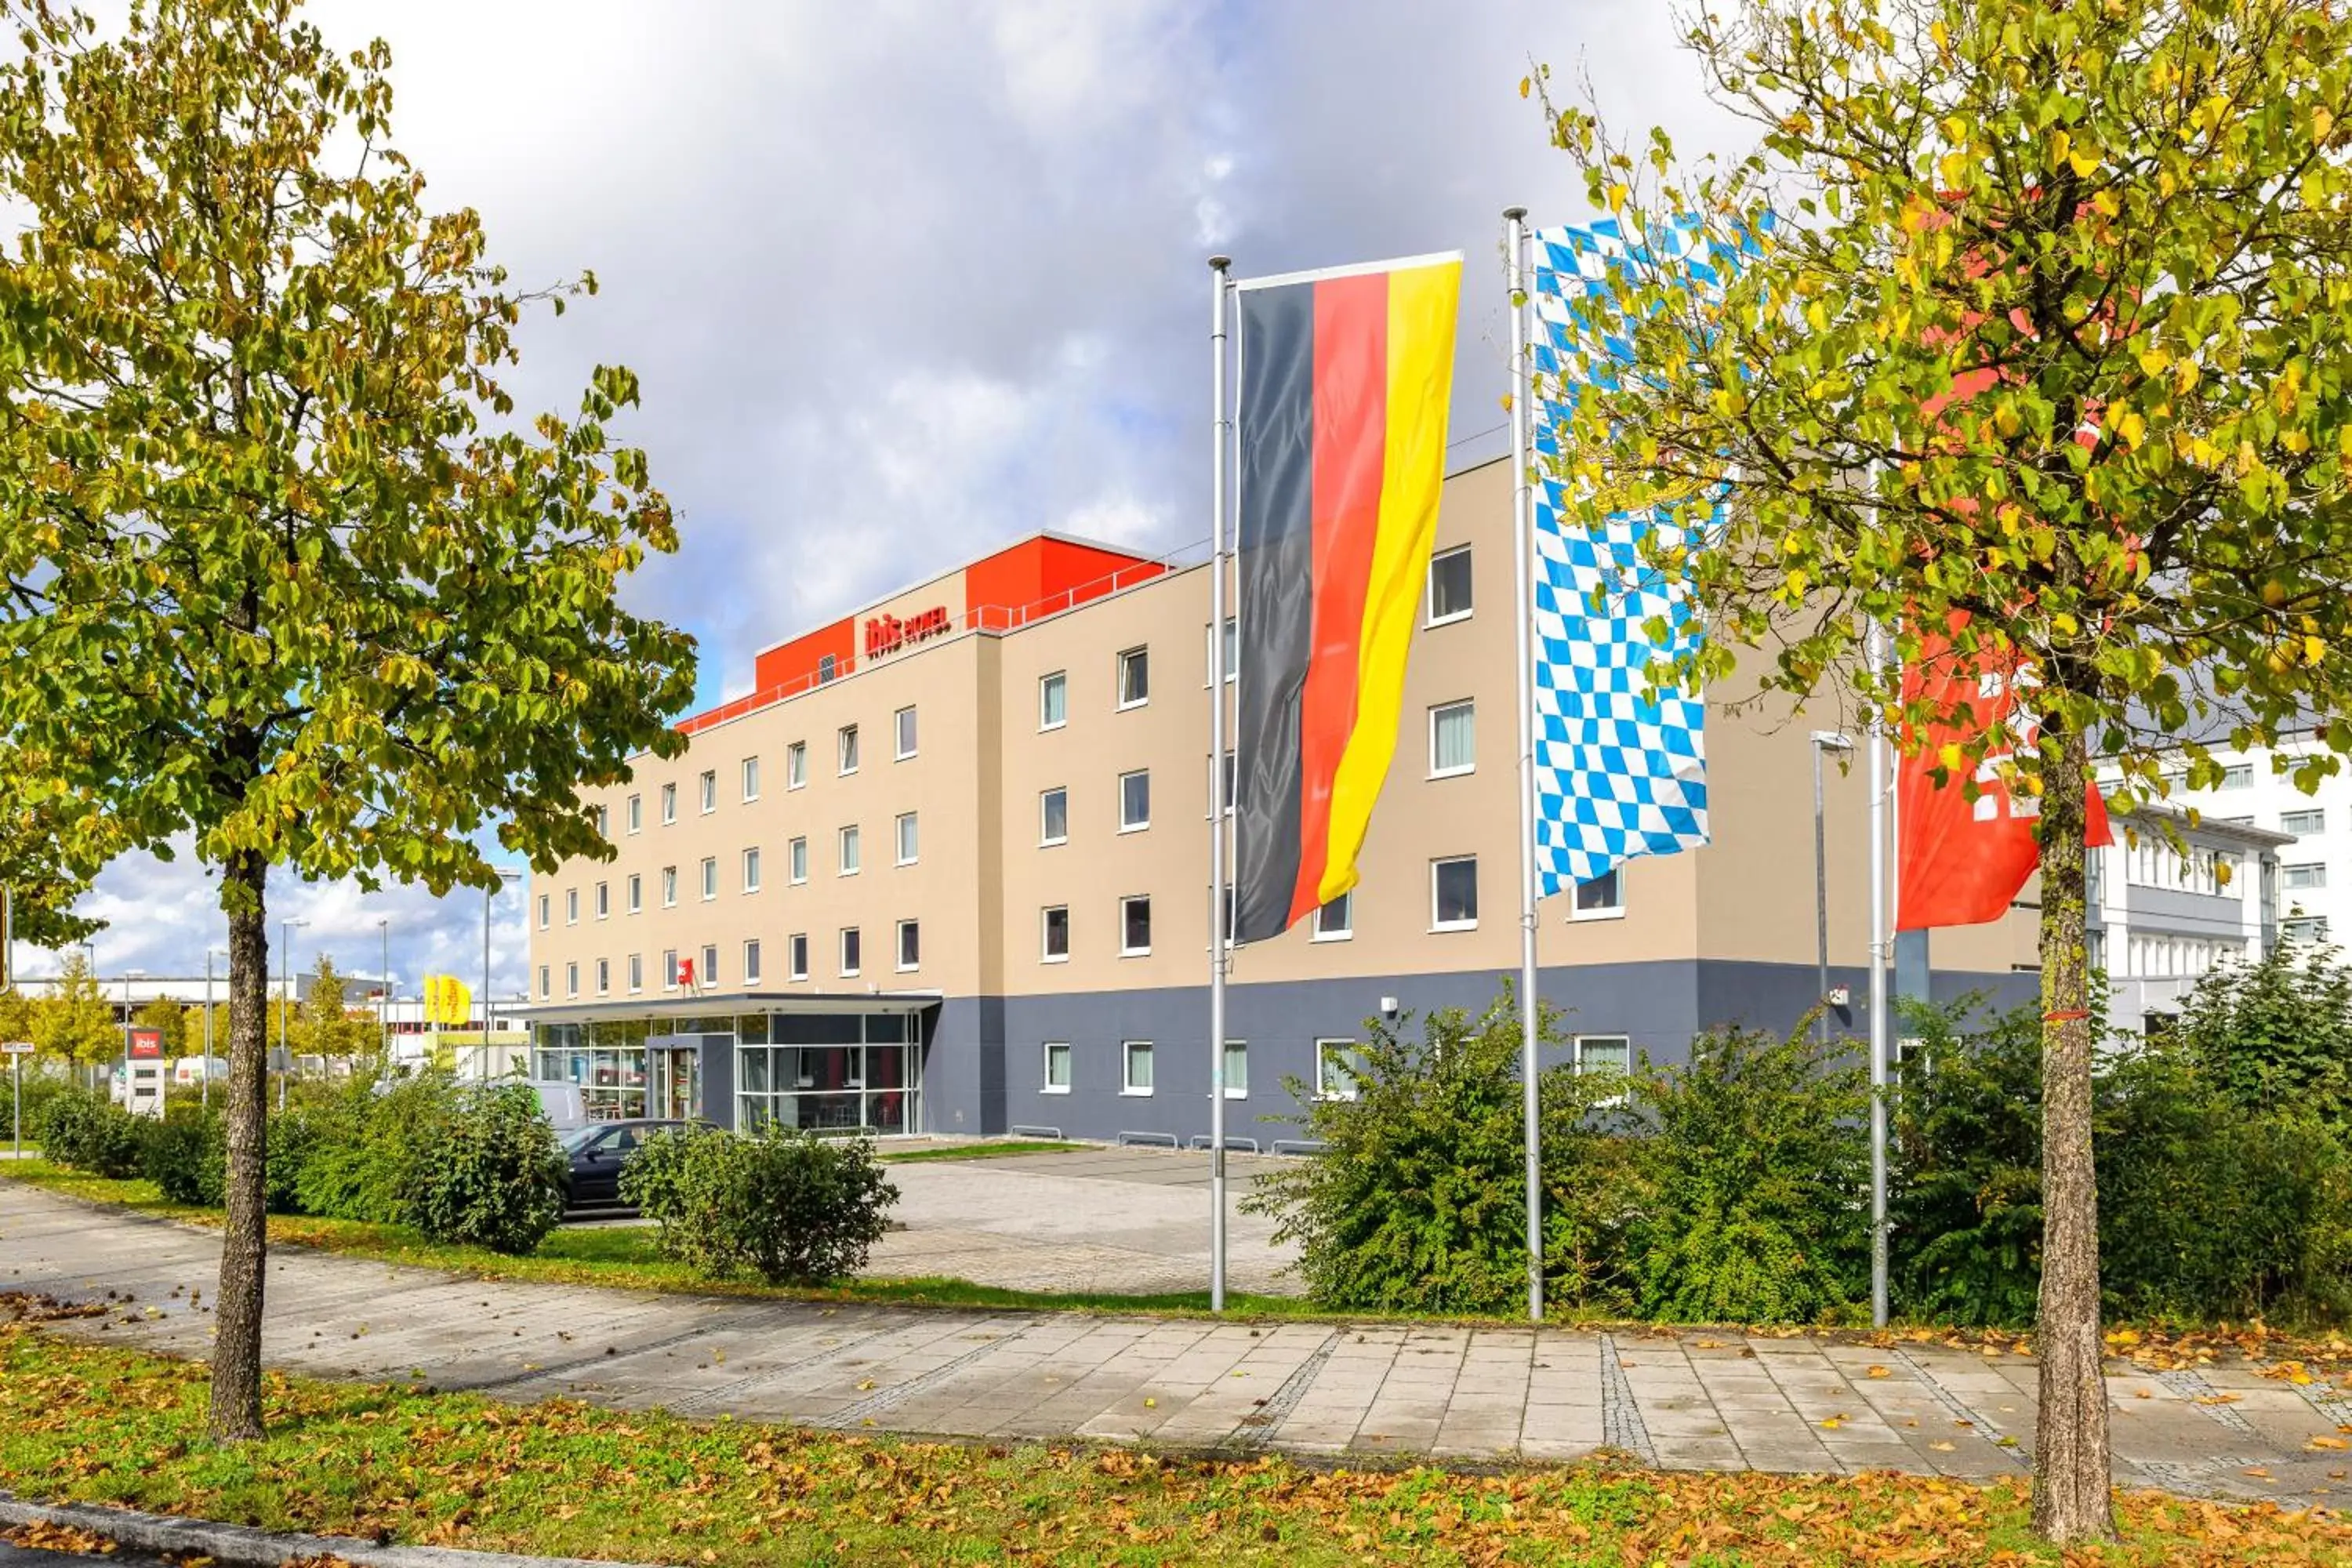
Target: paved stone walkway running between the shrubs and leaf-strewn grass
1692 1400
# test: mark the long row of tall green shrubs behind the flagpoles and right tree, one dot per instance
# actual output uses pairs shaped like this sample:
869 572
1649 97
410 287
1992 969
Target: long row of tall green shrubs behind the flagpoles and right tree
1735 1186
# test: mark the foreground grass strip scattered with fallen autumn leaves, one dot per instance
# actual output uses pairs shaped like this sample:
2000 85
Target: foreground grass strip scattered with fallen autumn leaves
116 1426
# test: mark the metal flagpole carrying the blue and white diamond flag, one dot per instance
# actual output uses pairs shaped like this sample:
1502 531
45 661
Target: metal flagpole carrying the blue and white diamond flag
1523 622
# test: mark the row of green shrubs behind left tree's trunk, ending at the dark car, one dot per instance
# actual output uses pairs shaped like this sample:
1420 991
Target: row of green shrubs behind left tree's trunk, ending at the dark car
460 1162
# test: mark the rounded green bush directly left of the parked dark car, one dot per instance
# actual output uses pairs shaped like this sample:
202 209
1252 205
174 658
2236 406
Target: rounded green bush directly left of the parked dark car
497 1177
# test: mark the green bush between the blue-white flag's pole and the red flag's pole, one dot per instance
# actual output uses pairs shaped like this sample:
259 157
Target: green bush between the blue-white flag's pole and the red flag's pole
1758 1167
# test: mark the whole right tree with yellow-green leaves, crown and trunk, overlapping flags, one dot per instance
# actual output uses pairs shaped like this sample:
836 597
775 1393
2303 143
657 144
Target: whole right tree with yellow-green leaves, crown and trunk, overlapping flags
2047 342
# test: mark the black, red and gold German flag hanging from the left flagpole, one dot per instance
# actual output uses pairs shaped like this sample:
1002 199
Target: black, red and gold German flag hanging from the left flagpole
1342 413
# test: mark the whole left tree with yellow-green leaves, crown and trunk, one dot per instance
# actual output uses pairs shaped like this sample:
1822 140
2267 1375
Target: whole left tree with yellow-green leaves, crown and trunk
283 572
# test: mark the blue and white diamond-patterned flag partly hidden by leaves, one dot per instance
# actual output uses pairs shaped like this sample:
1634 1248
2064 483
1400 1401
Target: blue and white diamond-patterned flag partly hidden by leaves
1619 772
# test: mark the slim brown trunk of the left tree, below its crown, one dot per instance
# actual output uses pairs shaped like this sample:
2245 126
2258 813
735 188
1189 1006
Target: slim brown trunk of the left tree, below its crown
236 1353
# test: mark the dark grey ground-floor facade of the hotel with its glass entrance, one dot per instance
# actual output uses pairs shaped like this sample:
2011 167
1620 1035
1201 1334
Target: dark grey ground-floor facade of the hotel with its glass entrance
1135 1064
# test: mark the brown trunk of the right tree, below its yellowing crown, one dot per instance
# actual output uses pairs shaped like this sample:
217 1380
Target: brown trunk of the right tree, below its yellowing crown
2071 1433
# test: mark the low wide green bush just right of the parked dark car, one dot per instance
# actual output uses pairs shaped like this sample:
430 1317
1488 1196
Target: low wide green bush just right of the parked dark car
780 1202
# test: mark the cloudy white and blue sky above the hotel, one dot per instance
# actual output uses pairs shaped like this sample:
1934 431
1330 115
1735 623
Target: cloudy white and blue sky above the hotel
911 279
